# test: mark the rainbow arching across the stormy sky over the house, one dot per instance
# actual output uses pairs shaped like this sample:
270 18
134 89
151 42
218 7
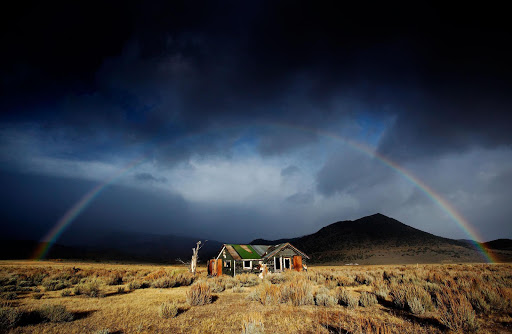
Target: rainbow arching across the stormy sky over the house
70 215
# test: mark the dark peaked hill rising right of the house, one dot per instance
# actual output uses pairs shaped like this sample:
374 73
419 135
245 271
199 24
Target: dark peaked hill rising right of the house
378 239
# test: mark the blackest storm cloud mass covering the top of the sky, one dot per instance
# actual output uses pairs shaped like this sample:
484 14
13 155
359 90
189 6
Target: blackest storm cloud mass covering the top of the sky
139 71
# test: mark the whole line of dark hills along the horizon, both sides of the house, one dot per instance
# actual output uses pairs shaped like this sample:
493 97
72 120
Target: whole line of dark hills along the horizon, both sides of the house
374 239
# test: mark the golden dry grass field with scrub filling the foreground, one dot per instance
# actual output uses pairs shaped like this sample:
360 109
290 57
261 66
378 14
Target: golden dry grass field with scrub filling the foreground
59 297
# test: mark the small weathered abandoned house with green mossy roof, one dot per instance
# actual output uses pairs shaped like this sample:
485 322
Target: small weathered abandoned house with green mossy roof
237 259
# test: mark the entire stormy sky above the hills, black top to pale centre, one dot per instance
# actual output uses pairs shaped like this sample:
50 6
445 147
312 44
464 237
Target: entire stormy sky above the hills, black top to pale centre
230 102
